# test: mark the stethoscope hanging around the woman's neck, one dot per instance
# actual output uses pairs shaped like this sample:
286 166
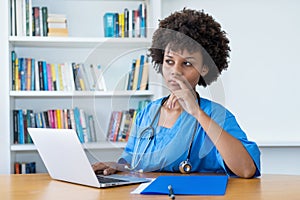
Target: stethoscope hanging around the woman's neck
185 166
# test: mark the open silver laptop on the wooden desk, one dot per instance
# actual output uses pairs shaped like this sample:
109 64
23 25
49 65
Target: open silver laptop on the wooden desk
65 159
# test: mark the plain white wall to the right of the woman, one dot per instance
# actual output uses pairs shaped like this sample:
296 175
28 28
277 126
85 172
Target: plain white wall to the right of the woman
261 85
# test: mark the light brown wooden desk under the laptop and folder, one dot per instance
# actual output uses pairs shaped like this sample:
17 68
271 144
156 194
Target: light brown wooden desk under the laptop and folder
41 186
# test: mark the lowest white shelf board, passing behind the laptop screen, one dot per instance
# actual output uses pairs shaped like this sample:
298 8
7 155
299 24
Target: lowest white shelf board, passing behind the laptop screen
90 146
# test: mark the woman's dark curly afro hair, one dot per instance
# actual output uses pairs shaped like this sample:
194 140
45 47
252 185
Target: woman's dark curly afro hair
192 30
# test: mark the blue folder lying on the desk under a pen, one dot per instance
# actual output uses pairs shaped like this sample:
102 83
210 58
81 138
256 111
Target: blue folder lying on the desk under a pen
189 185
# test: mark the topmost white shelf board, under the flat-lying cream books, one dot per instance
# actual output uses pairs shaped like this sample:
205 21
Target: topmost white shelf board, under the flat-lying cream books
80 42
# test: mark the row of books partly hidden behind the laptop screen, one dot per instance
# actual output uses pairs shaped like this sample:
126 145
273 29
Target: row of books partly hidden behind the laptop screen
75 118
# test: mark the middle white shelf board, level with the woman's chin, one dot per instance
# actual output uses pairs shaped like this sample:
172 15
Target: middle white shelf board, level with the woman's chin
79 93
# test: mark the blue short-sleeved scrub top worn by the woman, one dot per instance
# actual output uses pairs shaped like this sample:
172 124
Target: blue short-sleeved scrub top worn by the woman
169 146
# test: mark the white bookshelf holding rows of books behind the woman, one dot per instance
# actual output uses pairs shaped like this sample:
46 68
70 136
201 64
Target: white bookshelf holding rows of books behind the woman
85 43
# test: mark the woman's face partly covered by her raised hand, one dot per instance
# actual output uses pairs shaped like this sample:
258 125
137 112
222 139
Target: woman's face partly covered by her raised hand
182 66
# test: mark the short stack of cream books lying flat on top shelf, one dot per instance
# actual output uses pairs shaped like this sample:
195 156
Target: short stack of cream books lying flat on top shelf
57 25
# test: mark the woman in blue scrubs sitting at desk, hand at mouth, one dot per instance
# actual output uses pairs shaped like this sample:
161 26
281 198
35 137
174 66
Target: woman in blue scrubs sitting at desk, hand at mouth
184 132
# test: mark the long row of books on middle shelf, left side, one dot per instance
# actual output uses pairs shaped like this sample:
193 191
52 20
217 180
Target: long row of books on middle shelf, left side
39 75
